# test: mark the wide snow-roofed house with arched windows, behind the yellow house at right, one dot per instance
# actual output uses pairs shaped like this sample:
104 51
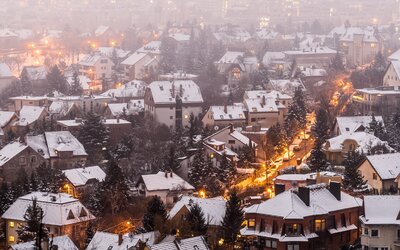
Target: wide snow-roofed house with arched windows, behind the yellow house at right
338 147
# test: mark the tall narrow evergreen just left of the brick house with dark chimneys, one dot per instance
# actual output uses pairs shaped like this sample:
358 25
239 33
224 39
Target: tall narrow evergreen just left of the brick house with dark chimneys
233 218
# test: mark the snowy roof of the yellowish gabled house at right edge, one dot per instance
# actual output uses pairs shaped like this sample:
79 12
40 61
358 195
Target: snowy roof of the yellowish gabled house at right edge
387 166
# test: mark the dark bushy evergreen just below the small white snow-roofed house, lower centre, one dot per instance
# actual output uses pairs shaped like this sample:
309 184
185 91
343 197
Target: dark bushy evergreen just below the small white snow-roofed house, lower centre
155 213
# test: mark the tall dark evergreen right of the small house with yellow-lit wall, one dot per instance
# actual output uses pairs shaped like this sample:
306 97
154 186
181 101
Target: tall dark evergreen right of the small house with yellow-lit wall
115 189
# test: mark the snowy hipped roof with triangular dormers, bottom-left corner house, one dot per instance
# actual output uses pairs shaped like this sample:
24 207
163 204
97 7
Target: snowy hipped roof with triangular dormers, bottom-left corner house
59 209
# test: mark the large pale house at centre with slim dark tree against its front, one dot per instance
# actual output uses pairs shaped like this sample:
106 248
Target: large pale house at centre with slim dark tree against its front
172 103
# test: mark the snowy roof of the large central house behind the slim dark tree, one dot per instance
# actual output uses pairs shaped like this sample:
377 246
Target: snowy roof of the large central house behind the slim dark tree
165 92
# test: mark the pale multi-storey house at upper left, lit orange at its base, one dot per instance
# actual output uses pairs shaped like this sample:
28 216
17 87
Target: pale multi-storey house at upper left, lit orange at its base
96 67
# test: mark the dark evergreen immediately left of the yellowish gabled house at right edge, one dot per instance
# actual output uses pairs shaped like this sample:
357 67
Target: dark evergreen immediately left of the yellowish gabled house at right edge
353 180
